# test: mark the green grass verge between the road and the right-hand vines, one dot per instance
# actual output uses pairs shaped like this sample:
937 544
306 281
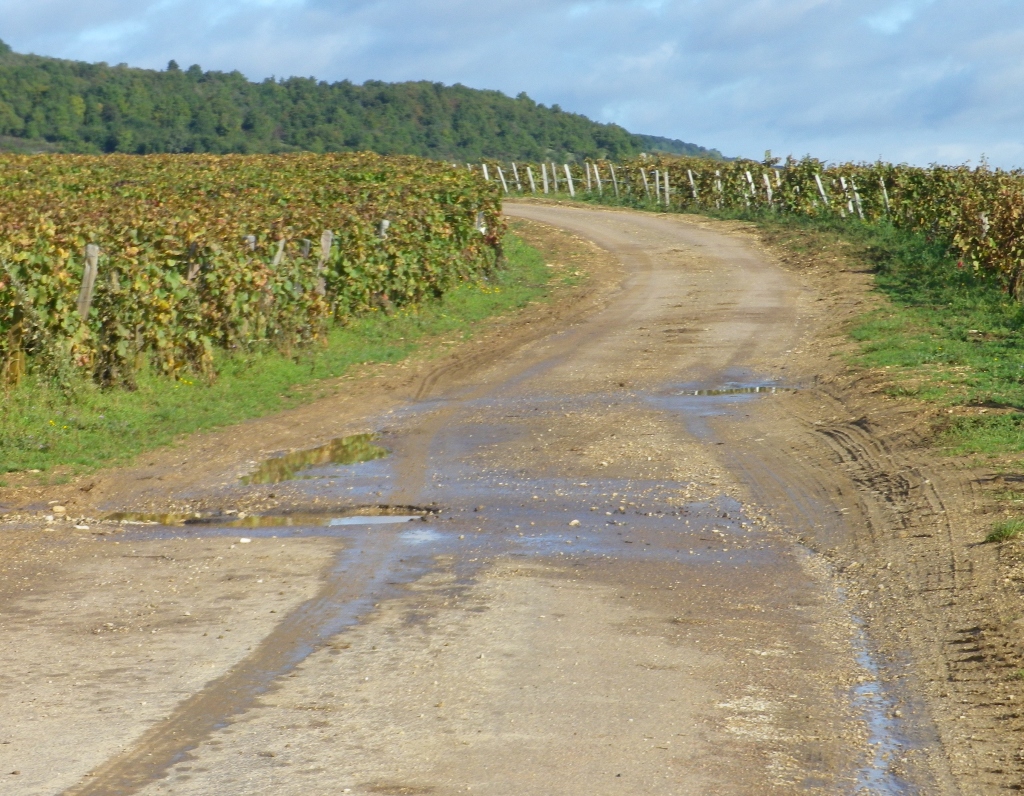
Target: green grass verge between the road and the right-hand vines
948 336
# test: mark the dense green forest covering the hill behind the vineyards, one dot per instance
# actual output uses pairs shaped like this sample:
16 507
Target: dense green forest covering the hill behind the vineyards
64 106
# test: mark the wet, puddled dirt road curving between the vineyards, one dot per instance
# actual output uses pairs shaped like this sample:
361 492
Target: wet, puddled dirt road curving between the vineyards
604 590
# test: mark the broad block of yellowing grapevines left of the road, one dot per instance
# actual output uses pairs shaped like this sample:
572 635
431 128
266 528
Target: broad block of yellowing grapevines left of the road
111 265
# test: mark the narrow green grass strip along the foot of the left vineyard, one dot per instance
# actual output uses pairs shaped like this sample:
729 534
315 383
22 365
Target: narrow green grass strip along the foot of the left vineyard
40 429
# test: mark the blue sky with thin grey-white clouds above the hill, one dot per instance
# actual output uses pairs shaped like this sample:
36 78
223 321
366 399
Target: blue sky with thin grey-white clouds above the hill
916 81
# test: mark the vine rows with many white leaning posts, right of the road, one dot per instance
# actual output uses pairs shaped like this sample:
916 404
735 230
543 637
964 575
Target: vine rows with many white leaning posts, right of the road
979 213
